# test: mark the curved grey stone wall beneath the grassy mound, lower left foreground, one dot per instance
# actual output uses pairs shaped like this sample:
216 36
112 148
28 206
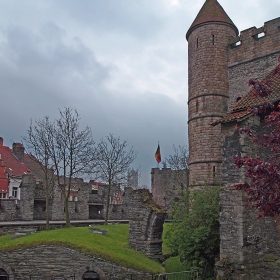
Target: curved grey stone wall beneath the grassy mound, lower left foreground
47 261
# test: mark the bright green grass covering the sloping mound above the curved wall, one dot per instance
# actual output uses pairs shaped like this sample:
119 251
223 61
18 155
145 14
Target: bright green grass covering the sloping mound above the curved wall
113 247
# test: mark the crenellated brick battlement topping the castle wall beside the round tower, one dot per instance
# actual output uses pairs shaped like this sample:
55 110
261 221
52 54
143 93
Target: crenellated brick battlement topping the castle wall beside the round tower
255 42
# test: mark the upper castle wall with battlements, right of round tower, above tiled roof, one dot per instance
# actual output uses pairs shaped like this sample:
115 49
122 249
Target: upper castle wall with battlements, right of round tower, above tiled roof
253 58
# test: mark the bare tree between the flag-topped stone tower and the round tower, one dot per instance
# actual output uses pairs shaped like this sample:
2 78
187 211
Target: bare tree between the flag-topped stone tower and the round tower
178 162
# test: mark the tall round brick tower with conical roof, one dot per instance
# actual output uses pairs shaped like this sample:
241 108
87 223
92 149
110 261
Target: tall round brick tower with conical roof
208 41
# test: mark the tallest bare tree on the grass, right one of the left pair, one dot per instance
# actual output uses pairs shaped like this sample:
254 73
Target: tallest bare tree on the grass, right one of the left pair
72 152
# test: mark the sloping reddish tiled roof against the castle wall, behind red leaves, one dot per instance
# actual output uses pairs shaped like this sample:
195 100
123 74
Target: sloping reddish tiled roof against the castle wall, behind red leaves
249 100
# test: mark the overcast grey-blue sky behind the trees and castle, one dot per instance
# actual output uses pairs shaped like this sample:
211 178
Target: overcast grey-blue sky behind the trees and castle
121 63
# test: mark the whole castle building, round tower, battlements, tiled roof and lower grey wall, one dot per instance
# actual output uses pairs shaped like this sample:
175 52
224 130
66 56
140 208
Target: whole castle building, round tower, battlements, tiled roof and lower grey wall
221 61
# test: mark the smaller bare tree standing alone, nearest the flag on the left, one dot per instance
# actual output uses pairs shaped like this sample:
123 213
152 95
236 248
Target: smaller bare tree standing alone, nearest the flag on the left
113 158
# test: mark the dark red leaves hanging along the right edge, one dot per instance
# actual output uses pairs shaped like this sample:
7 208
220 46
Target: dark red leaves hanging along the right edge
263 186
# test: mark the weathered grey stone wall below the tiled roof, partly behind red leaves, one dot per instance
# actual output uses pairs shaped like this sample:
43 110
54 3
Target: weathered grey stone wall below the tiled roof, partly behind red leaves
249 247
